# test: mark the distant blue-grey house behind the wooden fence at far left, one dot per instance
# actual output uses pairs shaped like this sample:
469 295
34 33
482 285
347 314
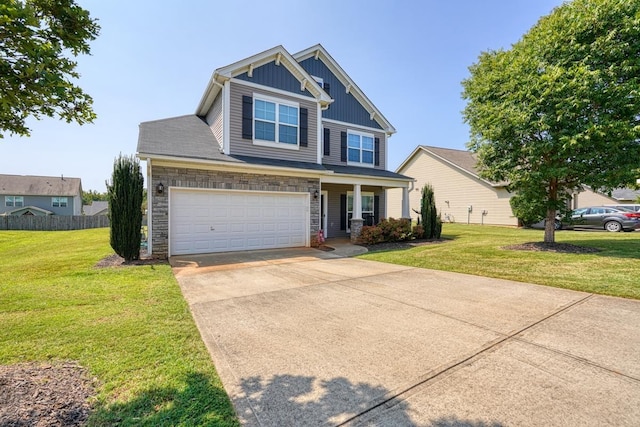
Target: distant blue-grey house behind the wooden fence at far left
40 195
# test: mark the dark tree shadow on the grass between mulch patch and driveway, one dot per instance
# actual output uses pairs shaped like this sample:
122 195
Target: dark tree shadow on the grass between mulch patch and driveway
198 403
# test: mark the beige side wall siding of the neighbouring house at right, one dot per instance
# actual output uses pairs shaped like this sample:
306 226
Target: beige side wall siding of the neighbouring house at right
454 191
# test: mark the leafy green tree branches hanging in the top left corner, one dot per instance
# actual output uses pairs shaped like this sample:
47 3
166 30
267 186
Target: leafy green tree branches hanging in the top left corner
37 39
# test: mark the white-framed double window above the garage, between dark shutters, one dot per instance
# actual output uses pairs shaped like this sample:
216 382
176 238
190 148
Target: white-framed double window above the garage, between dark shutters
276 122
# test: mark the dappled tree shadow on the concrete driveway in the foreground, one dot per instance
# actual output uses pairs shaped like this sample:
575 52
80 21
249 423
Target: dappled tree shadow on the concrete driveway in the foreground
291 400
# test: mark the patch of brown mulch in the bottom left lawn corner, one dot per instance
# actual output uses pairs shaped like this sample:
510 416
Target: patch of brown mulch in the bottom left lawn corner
37 395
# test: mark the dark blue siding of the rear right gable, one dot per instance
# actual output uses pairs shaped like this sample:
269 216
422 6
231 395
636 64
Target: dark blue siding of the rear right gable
345 107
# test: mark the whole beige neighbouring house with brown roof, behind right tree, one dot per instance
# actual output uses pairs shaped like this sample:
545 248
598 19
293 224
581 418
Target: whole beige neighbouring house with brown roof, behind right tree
461 195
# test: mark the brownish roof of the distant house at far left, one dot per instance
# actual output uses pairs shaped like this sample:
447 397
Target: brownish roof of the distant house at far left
28 185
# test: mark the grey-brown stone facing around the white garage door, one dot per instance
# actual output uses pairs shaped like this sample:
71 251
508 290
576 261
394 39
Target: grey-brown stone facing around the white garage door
196 178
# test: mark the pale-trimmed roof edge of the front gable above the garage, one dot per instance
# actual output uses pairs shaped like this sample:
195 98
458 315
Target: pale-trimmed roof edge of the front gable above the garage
278 54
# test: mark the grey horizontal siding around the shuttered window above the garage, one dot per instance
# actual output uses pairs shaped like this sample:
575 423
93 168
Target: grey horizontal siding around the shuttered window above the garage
245 147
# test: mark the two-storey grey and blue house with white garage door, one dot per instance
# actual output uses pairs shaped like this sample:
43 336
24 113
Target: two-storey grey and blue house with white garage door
281 147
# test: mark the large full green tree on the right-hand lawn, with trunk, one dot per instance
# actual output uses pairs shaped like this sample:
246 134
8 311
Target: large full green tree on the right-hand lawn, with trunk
561 108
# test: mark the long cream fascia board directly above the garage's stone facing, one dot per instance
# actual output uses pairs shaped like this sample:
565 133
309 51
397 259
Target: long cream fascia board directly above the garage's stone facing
171 161
